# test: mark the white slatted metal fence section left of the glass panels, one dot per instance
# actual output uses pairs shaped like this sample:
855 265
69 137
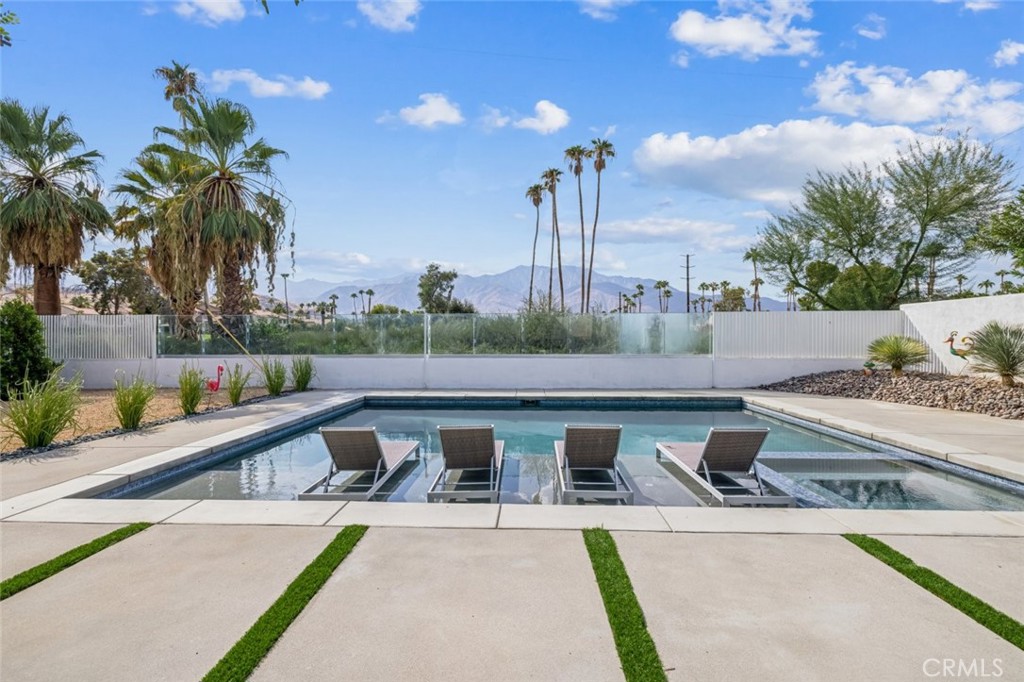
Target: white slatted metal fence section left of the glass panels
101 337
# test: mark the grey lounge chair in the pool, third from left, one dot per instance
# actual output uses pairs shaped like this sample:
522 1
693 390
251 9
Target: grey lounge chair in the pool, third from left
588 465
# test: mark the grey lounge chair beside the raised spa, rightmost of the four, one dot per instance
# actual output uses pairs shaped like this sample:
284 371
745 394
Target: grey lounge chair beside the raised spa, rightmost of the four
722 468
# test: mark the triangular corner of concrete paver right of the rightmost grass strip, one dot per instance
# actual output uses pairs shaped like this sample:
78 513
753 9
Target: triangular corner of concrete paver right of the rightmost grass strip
991 569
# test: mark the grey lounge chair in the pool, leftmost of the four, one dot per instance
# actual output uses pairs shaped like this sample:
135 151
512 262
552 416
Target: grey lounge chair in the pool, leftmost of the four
359 451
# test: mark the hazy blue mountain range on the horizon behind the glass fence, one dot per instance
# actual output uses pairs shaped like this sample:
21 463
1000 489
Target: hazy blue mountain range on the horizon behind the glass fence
504 292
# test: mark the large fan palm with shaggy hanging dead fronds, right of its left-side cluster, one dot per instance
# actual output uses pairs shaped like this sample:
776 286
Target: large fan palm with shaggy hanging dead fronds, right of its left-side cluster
236 206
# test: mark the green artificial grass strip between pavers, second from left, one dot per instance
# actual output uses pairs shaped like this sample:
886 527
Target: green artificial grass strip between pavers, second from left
247 654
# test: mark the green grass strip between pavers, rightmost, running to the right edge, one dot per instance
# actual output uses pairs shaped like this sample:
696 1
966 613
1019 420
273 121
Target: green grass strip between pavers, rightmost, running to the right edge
1006 627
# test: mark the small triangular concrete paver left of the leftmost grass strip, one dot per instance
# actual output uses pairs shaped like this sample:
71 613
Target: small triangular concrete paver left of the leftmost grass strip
28 545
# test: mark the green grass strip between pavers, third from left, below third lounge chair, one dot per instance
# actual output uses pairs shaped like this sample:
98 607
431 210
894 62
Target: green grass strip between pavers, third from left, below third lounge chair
636 650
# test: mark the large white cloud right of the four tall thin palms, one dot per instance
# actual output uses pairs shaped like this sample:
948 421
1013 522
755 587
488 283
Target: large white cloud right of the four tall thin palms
765 163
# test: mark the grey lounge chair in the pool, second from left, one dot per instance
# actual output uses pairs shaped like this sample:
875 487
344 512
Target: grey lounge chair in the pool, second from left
472 464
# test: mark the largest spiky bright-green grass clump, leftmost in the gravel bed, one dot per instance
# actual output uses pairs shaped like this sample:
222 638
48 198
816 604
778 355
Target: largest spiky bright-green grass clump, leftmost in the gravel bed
45 410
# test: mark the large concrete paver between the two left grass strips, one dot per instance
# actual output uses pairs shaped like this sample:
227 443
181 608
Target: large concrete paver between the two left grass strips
165 605
